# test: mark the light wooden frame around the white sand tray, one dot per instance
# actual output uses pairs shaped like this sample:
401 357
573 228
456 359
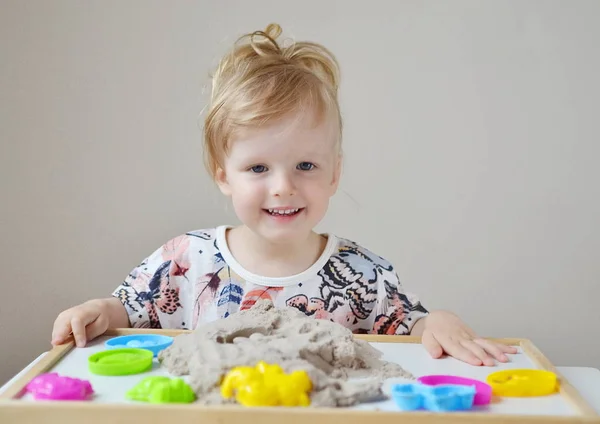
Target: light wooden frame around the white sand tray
14 410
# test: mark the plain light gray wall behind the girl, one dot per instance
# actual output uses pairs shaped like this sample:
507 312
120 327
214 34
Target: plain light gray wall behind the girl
471 151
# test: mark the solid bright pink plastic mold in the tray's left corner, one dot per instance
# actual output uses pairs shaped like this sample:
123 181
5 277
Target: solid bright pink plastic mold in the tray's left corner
52 386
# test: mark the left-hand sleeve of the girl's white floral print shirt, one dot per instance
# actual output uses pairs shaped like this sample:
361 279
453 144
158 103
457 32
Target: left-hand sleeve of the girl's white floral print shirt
150 293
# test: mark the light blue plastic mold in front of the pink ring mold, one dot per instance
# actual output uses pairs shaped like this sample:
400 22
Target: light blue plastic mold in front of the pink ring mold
448 397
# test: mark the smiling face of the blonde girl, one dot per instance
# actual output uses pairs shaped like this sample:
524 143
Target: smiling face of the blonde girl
281 177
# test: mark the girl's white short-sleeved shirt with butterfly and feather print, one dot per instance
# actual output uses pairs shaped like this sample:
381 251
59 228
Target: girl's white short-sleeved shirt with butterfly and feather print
194 279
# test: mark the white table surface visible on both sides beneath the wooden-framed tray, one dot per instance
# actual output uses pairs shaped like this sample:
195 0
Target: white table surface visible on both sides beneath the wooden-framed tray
585 380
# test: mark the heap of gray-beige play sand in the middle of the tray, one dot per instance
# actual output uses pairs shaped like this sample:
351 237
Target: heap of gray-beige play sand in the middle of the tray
327 351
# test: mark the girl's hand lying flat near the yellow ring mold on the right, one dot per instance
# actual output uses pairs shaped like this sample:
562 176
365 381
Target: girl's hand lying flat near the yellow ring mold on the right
444 332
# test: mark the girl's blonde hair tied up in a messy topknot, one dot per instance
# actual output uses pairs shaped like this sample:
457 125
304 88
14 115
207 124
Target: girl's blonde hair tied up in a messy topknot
261 80
